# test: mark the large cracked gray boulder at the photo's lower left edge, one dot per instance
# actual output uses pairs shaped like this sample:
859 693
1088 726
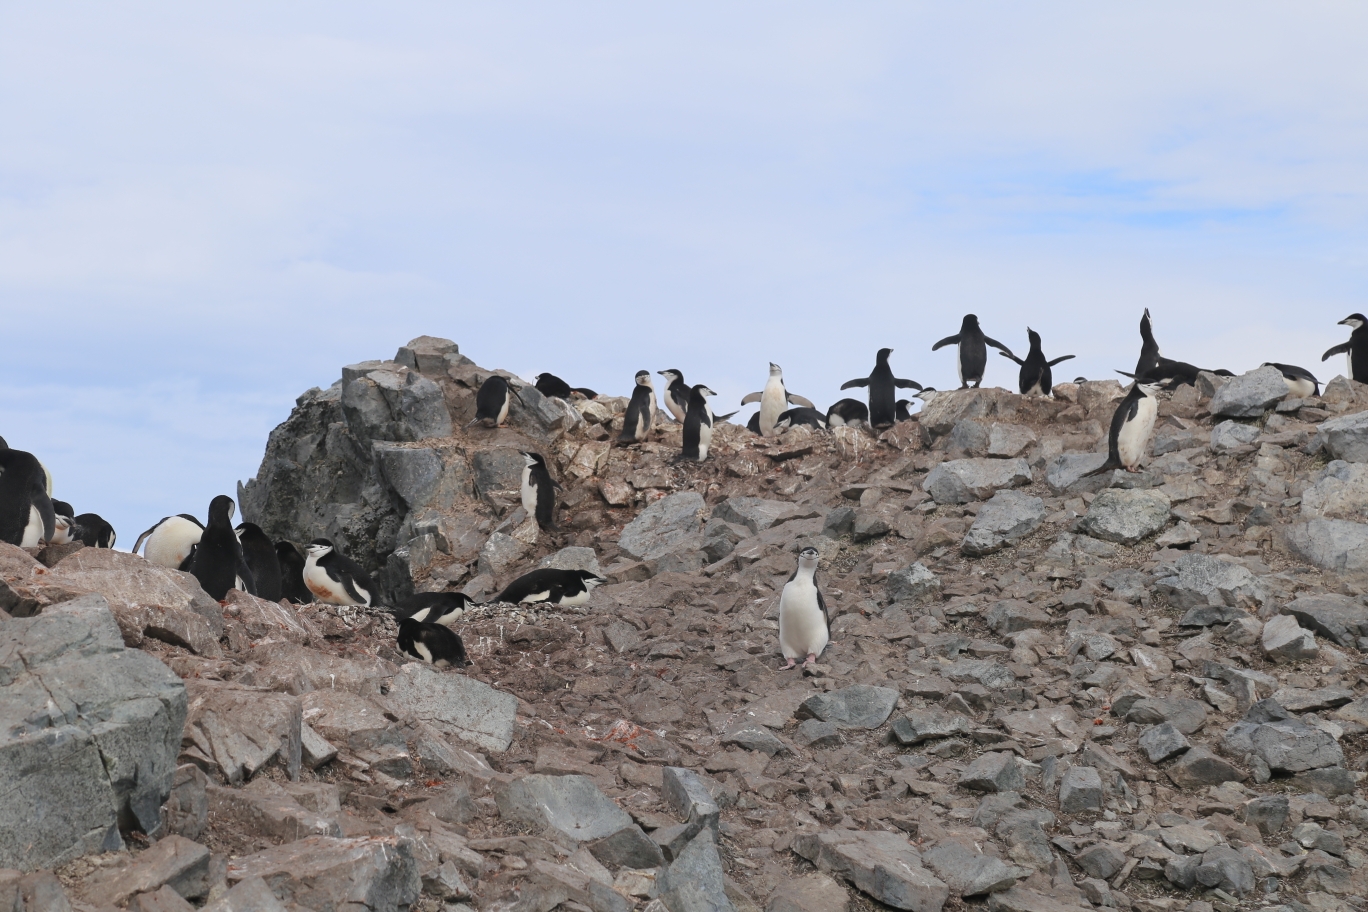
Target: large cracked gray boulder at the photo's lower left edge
90 735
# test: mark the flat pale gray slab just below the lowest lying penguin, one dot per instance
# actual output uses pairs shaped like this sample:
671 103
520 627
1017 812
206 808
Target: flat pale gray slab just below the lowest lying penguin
456 705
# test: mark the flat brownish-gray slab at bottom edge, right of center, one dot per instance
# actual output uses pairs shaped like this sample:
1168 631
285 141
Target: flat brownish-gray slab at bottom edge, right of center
883 865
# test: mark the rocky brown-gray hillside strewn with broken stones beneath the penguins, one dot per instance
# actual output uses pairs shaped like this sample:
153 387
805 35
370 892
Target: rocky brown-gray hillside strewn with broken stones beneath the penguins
1046 691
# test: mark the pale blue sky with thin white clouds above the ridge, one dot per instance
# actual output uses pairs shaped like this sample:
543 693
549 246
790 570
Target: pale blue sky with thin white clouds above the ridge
207 211
